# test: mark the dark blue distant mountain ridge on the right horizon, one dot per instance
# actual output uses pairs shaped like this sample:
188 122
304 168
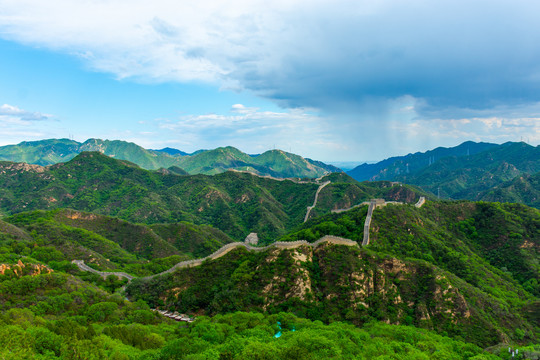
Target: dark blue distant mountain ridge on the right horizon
468 171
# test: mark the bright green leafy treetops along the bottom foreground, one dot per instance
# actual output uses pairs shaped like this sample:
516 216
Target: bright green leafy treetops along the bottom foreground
63 318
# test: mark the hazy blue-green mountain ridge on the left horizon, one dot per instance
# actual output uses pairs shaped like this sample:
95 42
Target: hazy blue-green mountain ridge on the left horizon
275 163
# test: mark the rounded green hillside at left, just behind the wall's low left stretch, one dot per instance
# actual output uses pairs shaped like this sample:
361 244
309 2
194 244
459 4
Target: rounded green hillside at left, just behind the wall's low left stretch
107 243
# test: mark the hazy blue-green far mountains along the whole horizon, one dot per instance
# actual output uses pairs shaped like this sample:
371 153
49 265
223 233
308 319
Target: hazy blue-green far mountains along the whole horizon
470 170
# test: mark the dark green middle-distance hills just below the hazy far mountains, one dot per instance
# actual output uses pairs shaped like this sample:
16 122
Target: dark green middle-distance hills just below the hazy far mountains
236 203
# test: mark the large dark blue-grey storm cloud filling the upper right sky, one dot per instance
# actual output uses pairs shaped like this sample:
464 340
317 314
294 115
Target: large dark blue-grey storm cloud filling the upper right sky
467 55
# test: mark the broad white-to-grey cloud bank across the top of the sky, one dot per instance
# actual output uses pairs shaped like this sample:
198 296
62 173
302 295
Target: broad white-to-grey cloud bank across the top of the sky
335 56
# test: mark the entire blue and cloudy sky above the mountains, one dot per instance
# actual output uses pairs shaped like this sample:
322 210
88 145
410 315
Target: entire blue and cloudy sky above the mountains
341 80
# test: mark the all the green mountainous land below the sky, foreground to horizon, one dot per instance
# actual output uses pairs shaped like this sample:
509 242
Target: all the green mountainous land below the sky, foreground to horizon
455 277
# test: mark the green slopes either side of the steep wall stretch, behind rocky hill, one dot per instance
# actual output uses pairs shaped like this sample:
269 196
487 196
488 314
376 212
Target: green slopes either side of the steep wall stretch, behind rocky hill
460 237
